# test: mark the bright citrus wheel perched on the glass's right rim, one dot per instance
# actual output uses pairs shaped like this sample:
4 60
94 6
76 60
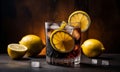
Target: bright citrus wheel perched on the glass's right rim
80 17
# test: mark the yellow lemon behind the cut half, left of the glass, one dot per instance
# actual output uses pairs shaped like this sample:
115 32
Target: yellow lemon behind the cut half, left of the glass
33 43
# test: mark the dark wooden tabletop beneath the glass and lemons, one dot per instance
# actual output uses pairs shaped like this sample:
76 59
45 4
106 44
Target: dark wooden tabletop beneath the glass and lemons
24 65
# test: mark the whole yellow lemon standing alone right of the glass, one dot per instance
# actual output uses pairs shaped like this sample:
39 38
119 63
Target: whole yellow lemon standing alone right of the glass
92 48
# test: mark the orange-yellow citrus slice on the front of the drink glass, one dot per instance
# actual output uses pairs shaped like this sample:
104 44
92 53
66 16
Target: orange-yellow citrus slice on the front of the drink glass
62 41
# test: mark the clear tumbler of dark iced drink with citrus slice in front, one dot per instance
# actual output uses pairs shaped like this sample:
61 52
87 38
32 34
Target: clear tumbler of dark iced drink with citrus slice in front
63 43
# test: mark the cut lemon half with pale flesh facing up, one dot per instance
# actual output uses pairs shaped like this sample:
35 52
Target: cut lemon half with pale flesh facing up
16 51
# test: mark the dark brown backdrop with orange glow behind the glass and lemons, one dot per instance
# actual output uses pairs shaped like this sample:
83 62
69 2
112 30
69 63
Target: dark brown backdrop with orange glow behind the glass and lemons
22 17
